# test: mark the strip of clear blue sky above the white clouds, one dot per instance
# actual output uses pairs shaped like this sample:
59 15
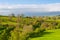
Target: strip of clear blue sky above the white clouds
28 1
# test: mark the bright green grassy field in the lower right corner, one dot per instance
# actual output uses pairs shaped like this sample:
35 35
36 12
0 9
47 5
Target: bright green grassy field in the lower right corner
49 35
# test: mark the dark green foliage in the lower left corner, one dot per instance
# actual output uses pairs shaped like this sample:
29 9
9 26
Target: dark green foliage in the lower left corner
5 32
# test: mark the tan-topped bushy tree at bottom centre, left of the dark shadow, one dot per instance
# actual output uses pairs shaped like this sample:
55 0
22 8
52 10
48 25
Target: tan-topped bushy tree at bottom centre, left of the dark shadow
27 30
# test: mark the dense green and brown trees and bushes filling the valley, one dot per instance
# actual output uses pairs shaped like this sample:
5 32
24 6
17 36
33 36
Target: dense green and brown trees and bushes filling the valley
23 28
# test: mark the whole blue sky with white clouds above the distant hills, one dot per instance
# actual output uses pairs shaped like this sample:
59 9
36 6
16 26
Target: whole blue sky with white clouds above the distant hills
8 6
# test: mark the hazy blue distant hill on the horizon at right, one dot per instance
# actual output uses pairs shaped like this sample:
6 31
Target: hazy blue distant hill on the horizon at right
42 13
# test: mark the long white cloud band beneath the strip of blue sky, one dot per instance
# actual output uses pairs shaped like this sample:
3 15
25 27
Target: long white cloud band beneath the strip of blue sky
33 7
